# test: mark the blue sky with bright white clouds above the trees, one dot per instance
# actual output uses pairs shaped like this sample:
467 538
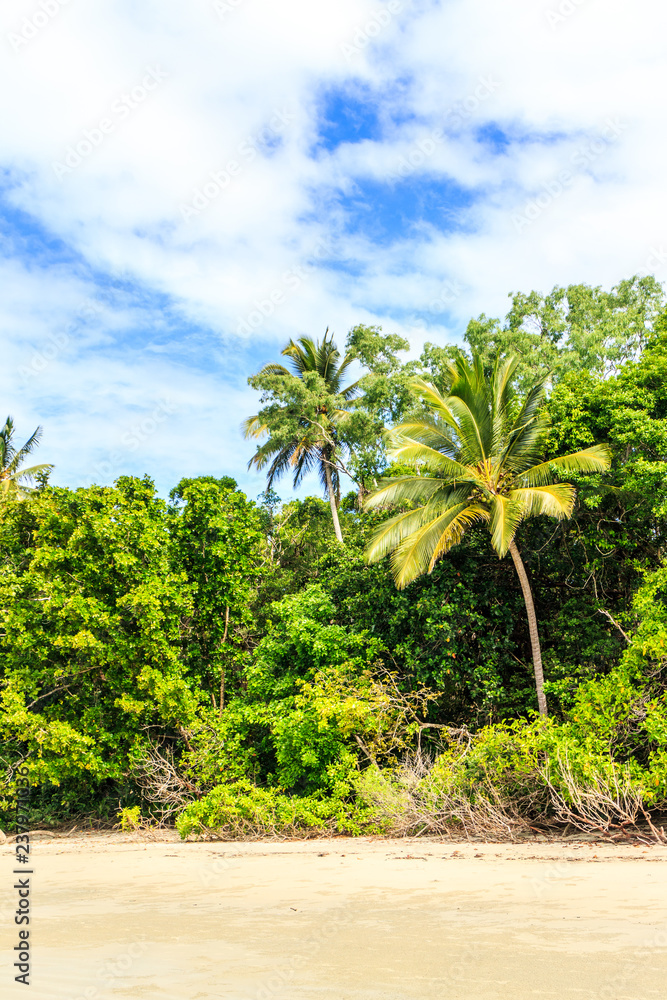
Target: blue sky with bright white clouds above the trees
185 186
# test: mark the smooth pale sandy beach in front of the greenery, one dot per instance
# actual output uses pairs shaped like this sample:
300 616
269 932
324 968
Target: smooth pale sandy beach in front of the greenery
122 916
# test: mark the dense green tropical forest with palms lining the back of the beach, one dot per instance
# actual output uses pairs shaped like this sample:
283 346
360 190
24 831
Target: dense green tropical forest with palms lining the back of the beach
240 666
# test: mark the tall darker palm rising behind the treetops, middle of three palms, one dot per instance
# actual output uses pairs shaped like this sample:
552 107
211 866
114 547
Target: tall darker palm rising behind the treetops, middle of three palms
312 441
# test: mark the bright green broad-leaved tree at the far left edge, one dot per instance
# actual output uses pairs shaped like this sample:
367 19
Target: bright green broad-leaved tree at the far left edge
89 631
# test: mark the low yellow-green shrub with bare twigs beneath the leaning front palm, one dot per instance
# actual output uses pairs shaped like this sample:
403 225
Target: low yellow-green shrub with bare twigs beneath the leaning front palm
509 780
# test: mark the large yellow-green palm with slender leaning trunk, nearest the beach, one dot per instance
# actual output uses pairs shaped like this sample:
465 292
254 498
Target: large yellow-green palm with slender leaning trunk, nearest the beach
476 454
